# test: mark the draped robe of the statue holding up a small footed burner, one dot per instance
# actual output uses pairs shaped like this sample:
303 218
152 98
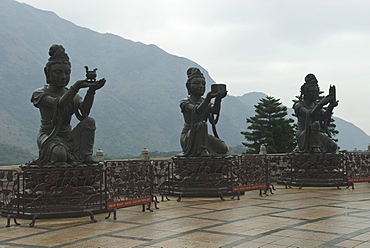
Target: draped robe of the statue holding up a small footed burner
55 129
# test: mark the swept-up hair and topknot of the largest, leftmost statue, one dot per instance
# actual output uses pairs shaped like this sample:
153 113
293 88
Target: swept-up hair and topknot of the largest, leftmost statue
58 58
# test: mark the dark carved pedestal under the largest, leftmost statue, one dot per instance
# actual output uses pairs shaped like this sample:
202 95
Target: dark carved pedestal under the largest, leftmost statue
53 192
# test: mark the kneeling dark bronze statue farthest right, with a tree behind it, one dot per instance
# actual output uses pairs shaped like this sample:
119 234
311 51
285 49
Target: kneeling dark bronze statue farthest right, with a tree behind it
313 119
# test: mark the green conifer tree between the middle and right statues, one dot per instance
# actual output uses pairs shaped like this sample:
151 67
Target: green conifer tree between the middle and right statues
269 127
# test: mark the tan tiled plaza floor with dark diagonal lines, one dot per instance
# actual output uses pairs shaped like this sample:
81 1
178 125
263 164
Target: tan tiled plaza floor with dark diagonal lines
308 217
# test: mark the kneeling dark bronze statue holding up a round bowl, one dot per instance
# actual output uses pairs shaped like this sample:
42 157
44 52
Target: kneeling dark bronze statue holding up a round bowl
195 140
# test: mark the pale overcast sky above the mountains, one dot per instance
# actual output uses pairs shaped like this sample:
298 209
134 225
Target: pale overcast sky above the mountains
250 45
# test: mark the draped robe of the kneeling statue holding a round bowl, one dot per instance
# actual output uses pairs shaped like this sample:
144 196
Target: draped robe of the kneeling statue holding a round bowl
194 136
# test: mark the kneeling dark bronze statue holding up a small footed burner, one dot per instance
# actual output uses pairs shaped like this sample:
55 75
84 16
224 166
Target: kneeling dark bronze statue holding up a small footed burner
59 144
